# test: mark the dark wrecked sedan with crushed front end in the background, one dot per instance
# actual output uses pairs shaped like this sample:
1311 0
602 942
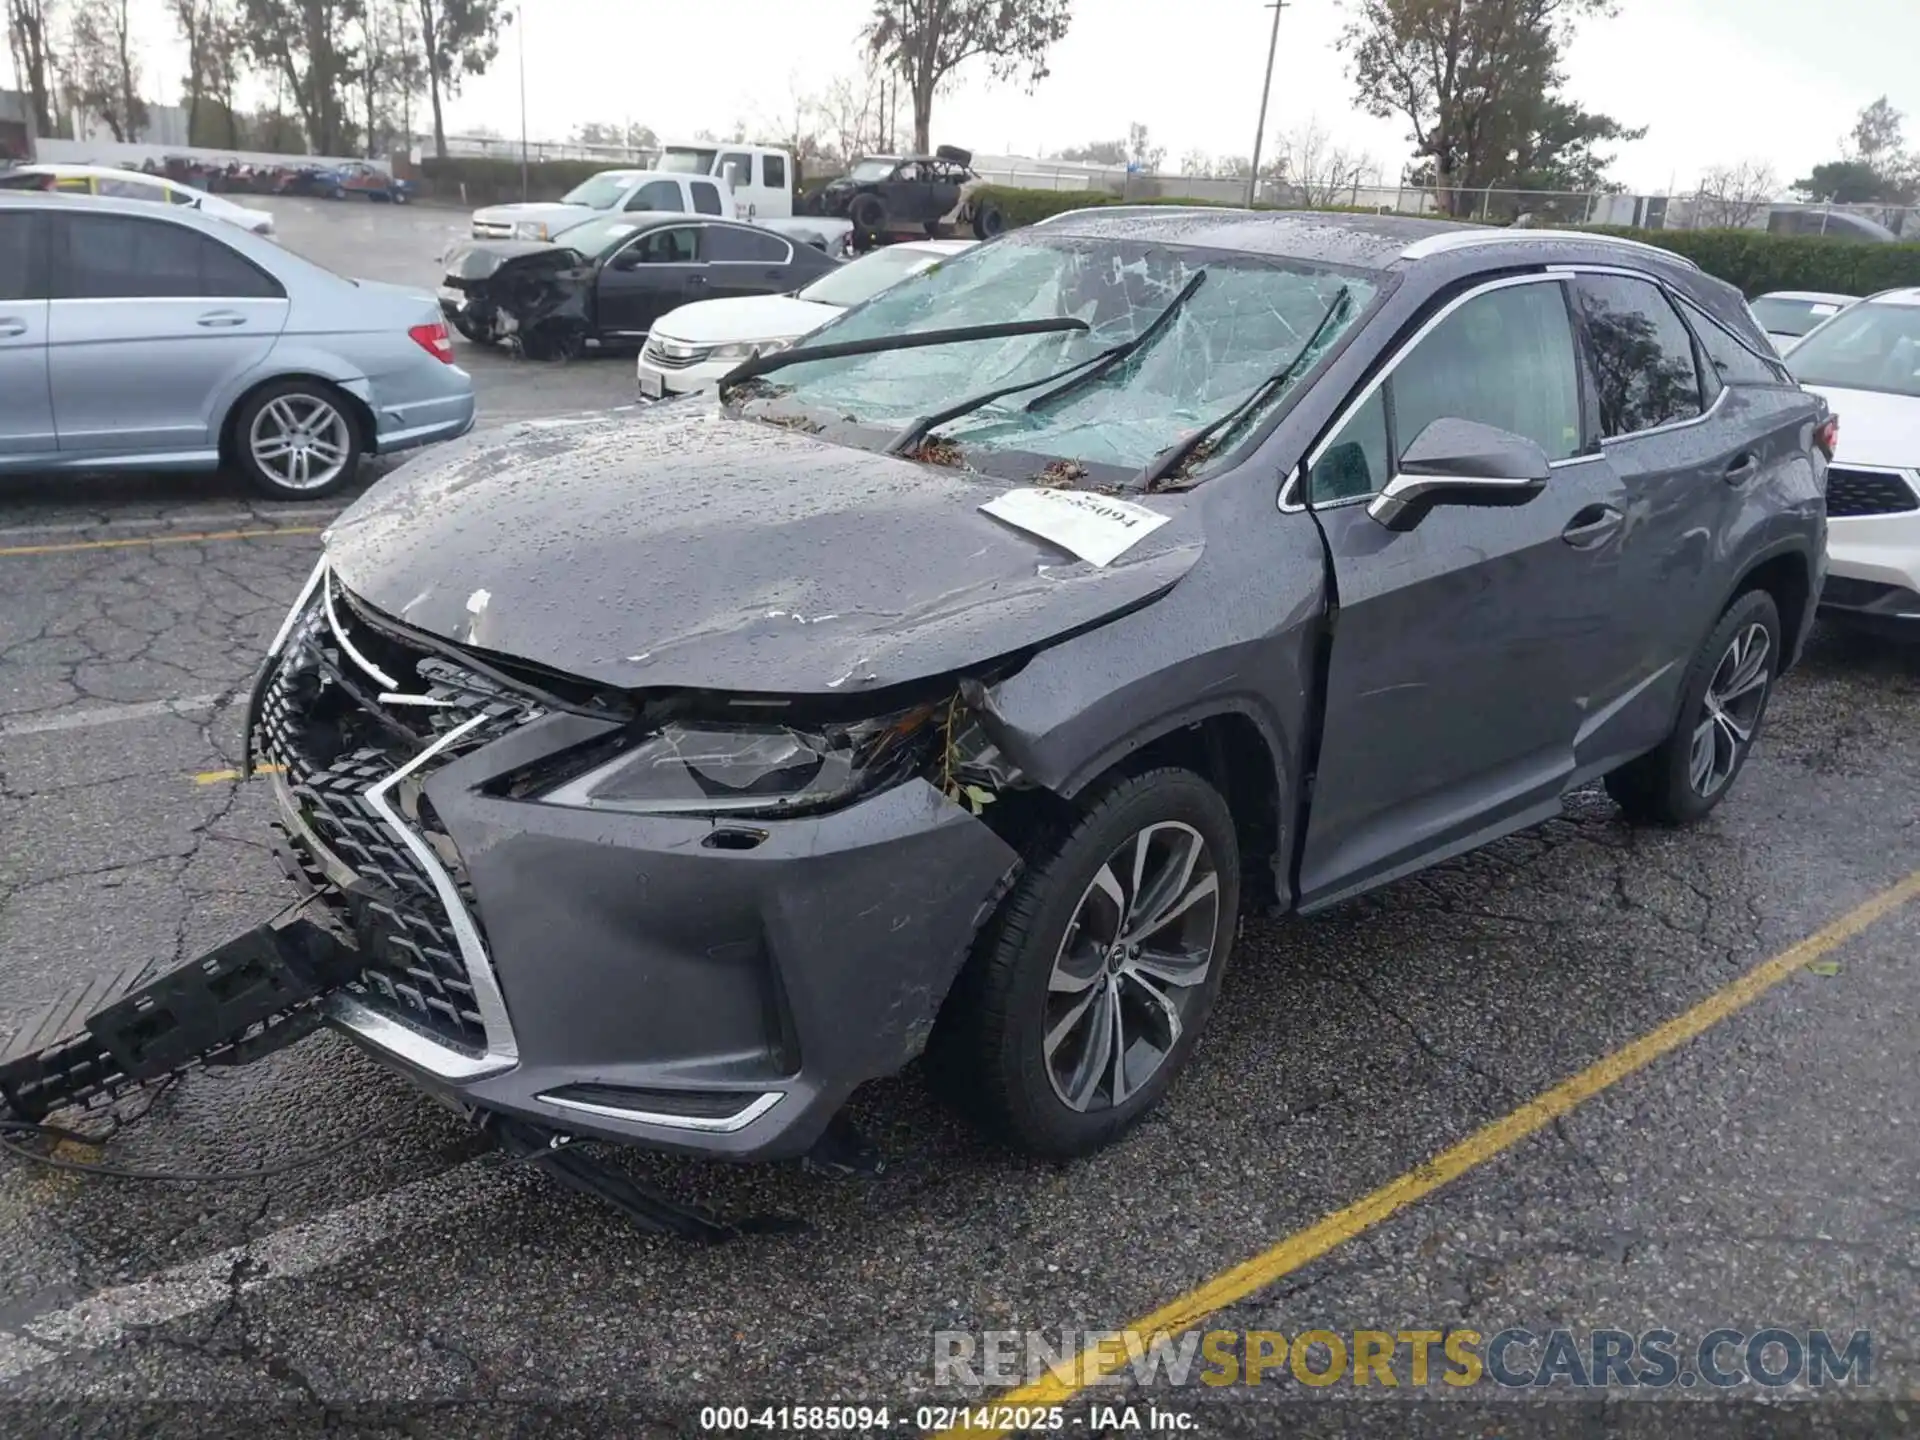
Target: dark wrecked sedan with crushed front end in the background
608 281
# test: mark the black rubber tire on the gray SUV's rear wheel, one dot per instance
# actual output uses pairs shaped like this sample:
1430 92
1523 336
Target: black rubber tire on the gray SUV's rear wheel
1664 788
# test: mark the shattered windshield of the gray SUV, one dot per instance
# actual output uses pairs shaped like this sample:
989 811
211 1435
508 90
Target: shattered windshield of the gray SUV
1247 324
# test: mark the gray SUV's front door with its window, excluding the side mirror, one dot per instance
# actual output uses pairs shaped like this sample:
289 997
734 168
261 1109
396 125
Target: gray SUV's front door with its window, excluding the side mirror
1470 652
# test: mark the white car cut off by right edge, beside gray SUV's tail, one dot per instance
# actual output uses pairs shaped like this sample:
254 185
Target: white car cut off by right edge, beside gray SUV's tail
1867 364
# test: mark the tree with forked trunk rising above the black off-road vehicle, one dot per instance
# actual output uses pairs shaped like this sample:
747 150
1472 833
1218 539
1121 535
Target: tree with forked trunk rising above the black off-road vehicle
926 41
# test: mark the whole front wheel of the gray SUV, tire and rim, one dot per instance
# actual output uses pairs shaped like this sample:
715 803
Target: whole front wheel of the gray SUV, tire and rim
1090 988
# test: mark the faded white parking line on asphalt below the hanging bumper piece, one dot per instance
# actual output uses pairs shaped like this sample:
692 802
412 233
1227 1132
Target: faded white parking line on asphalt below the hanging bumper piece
287 1255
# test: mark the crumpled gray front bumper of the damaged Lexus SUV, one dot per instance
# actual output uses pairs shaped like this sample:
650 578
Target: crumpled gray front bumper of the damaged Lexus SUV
679 984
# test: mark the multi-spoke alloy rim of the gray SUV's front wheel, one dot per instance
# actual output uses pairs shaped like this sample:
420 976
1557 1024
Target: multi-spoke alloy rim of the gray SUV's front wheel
1132 969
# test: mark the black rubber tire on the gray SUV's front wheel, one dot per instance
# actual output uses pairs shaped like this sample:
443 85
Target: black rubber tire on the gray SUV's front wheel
990 1047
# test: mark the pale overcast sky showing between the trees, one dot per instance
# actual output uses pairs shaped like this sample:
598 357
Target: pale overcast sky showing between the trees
1716 82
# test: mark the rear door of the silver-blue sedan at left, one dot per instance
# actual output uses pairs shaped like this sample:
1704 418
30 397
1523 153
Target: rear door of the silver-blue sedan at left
153 325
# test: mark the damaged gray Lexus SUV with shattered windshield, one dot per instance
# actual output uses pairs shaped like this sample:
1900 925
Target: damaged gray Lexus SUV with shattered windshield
951 683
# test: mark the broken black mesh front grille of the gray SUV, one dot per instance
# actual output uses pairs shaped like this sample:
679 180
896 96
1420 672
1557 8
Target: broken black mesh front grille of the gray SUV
339 736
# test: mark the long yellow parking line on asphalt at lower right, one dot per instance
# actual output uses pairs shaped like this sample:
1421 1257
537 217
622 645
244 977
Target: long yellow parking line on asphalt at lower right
1476 1151
